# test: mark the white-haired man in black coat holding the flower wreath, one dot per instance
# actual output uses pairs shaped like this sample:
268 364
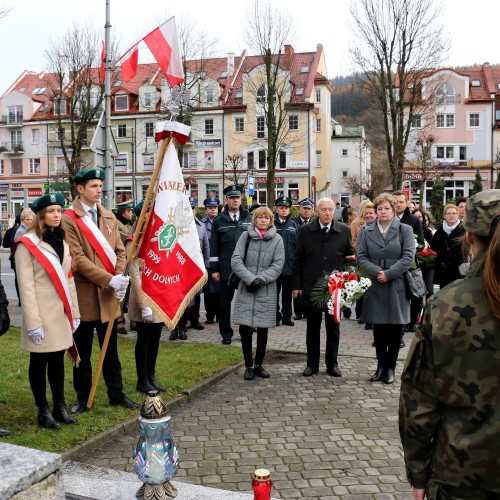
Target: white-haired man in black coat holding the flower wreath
322 248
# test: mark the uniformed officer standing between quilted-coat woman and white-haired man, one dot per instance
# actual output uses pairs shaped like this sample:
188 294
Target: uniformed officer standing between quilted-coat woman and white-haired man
288 229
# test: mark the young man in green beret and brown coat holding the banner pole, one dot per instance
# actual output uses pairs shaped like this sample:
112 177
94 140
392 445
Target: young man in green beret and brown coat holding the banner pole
98 264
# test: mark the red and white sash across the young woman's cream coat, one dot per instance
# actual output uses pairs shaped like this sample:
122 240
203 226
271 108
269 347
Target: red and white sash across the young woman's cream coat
52 265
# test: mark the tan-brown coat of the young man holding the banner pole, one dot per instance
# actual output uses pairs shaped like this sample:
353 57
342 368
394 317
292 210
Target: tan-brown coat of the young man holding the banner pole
91 278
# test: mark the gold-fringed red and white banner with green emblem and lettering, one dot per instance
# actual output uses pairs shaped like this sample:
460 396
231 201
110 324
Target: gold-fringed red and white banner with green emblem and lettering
173 270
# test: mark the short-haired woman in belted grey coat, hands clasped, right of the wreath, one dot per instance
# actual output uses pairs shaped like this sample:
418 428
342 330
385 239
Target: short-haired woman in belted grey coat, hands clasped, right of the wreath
385 252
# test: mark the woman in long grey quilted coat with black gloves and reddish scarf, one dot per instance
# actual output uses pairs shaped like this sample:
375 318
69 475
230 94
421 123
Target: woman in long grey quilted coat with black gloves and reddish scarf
255 303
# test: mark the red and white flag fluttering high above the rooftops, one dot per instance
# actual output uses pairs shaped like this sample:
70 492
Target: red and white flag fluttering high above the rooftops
164 45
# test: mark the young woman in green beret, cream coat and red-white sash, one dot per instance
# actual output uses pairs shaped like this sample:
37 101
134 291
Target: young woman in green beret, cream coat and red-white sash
49 306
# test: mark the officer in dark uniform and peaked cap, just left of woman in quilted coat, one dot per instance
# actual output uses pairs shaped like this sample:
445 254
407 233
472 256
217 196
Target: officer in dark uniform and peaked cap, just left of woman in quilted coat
226 230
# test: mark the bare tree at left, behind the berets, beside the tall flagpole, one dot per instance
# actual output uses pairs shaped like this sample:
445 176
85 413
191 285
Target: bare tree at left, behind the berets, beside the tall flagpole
76 90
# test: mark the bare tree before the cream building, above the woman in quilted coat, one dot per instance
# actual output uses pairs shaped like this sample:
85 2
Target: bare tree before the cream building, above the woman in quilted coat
268 31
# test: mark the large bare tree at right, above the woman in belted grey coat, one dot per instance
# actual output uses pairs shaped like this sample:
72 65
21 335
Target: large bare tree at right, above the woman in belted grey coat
397 42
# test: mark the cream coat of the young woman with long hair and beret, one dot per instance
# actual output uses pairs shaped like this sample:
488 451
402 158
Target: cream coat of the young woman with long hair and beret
41 304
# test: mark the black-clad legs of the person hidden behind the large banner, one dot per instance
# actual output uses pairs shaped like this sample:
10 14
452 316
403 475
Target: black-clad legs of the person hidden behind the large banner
146 349
